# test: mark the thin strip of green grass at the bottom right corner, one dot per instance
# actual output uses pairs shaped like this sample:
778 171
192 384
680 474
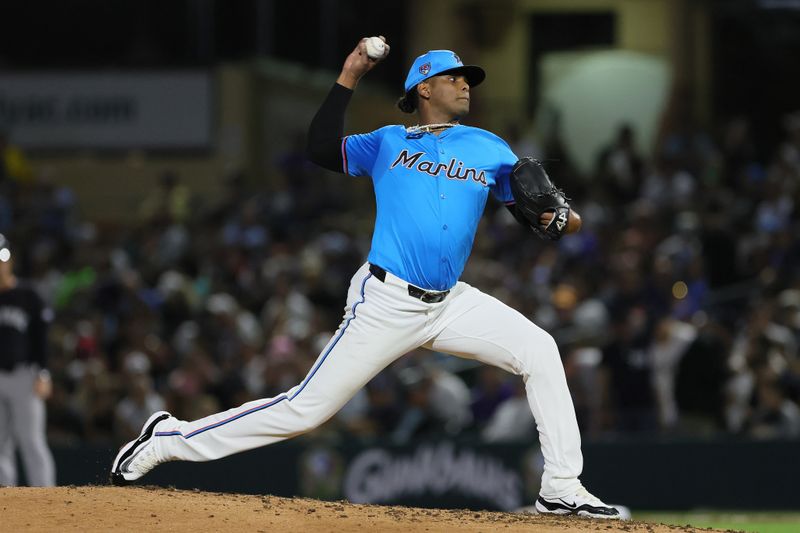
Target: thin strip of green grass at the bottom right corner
755 521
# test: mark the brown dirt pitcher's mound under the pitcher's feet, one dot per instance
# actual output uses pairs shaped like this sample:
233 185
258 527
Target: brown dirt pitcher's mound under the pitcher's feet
95 508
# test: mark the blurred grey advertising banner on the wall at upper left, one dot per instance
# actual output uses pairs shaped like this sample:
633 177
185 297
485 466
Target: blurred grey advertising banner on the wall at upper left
158 110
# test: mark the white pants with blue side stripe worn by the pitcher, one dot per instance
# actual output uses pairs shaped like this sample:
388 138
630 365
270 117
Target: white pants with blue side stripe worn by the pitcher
381 323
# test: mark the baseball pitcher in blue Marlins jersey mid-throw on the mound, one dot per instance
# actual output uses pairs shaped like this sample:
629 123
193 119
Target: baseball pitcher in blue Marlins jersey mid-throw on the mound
431 184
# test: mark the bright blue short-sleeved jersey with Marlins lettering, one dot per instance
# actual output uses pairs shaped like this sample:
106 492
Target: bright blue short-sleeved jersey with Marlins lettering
430 192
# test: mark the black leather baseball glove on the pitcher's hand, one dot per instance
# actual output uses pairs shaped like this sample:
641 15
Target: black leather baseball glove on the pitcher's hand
535 195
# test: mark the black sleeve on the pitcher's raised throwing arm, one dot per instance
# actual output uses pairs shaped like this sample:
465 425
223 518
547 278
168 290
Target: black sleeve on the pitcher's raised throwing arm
327 129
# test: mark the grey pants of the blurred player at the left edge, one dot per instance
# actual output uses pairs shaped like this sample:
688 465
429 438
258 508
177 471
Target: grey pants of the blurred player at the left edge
22 427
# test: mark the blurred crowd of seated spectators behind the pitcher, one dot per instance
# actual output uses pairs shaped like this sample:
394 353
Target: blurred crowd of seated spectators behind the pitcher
676 308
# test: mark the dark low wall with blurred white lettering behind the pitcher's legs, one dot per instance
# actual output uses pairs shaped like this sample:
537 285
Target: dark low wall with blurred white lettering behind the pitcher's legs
638 472
